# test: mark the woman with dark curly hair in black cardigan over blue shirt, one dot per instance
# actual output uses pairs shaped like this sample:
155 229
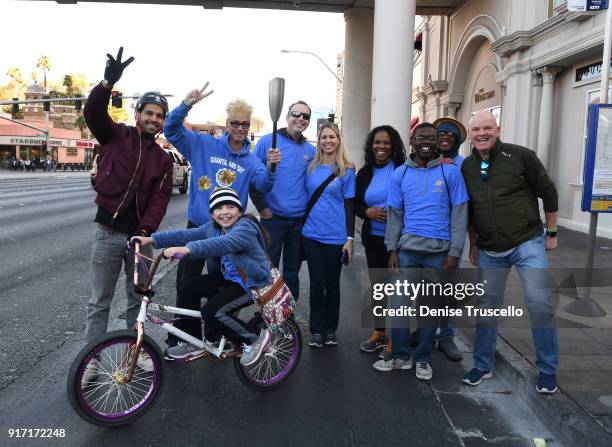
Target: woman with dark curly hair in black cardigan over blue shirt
383 152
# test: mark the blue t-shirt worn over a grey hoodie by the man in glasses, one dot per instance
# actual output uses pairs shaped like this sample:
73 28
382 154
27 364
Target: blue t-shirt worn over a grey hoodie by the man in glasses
423 194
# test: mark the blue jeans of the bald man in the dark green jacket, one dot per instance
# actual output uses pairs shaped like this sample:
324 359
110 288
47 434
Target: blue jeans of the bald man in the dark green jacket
531 263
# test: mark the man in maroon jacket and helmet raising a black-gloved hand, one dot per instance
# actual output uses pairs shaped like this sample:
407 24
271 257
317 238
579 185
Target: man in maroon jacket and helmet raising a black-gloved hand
133 186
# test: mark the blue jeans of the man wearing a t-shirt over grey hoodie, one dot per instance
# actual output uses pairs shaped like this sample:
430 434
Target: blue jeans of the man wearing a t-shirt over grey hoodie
400 336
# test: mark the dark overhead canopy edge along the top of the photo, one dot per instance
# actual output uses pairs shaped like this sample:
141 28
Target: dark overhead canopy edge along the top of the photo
424 7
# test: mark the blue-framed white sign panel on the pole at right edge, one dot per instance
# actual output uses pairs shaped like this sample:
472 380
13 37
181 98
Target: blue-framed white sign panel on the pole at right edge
597 191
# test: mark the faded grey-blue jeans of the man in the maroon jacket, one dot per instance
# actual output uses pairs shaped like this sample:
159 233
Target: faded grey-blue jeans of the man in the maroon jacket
108 255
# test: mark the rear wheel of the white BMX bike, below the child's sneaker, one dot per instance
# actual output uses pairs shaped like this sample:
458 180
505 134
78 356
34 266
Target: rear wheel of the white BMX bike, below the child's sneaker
277 363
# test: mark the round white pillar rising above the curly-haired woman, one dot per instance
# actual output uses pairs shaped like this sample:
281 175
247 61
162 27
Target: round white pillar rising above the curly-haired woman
392 64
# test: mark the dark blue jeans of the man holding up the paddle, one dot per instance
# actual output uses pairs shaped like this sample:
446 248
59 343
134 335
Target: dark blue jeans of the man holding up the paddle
286 237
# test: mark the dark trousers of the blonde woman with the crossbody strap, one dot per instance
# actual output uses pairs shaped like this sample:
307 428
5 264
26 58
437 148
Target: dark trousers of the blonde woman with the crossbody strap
324 268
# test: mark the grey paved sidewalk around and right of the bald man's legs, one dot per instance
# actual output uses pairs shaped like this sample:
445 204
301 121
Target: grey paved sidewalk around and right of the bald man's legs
585 369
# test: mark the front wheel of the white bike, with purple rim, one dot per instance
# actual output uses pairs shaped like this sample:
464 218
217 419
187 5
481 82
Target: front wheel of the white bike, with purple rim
106 401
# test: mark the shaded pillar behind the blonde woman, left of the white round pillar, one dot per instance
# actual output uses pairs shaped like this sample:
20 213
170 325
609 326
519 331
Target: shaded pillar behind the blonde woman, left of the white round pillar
357 83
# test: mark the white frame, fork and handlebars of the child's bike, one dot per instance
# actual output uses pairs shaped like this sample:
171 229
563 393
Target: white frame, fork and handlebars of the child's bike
144 315
